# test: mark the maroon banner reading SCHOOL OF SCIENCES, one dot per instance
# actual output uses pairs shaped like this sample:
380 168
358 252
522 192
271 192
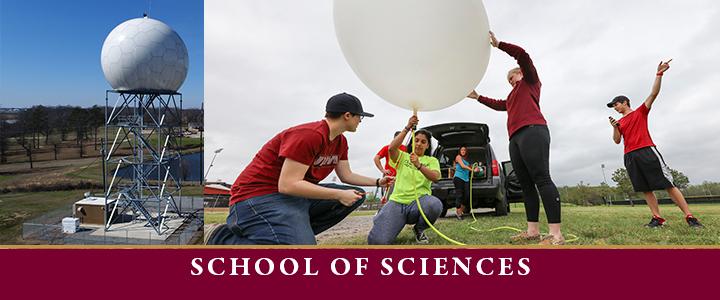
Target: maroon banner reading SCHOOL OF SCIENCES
359 273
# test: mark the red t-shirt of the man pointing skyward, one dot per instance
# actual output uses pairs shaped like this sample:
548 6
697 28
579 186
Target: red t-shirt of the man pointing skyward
633 128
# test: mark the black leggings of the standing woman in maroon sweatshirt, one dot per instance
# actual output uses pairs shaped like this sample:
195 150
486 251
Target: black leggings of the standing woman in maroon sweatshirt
530 155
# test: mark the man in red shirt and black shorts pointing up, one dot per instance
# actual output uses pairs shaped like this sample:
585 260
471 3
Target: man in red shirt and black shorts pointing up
645 166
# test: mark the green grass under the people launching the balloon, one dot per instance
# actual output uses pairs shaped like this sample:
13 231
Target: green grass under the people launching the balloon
593 225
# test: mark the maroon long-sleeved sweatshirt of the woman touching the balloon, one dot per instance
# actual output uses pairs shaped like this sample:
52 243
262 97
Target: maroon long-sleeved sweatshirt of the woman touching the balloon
523 103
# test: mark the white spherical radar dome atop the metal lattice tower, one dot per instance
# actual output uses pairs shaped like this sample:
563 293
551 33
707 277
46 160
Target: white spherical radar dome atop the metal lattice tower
144 54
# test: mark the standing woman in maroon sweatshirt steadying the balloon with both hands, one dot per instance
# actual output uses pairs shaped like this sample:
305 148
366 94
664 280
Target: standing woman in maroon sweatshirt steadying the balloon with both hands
529 144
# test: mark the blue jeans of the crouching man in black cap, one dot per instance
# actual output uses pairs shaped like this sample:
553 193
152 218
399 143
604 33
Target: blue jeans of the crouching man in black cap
281 219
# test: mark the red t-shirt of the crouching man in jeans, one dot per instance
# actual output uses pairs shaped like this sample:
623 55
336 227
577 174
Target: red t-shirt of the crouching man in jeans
308 144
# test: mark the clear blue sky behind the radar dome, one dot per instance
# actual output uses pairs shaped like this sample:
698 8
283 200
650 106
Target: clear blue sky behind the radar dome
50 50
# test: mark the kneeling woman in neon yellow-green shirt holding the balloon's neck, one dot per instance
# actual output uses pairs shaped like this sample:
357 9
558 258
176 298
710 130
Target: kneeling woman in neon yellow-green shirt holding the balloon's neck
415 173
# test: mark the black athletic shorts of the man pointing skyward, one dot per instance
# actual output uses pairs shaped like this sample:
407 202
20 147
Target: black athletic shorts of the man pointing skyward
647 170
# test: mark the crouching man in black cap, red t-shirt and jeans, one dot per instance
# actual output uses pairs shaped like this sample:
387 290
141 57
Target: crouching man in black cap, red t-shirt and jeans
277 199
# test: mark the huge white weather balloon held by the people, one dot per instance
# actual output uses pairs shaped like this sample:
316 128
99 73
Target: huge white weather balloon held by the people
416 54
